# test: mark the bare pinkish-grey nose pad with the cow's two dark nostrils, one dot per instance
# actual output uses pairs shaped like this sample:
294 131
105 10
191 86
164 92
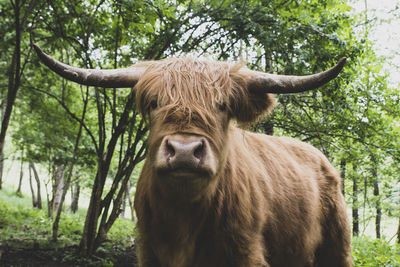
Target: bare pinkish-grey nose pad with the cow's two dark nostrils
184 152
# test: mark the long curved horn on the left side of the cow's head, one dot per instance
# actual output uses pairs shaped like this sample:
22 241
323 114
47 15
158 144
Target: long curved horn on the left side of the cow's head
118 78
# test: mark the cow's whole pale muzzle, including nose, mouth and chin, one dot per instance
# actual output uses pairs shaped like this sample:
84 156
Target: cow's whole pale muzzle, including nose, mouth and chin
185 156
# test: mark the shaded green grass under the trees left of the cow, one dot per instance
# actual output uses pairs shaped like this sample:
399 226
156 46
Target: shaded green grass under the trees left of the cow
26 233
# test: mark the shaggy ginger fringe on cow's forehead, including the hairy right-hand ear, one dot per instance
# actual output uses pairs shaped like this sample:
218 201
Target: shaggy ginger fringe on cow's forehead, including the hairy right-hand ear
193 87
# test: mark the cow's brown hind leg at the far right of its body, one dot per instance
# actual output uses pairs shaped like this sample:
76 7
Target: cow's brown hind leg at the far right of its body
335 250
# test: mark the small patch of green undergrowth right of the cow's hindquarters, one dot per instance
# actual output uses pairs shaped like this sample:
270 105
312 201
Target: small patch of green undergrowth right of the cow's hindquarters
369 252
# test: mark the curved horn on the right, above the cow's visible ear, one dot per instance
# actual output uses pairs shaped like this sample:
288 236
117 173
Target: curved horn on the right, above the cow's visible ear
283 84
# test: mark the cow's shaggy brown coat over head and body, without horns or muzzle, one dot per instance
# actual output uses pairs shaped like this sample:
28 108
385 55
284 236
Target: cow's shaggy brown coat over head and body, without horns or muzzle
272 202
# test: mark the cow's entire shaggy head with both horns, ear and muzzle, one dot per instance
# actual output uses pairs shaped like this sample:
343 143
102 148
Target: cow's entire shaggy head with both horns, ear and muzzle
189 104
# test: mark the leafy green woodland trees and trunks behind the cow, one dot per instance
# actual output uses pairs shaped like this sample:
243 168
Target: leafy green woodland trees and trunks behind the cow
69 138
